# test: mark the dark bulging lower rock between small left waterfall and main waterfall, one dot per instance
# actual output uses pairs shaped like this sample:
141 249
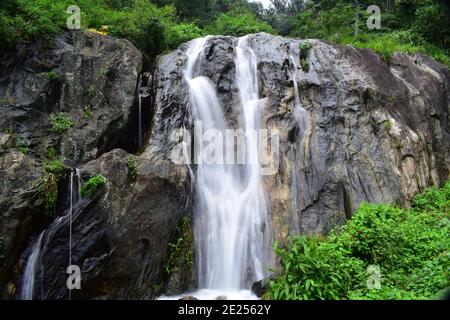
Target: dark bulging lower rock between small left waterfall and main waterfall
120 236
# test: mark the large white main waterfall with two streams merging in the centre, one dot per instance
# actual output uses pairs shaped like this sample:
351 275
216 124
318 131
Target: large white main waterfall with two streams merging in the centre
231 220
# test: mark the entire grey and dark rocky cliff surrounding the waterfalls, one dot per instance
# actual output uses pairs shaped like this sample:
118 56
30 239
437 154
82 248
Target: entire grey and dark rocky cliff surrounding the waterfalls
375 132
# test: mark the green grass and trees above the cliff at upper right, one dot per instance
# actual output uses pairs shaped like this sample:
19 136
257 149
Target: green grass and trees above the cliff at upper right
424 27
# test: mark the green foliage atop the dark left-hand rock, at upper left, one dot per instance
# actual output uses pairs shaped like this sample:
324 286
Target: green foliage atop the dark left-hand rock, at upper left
150 28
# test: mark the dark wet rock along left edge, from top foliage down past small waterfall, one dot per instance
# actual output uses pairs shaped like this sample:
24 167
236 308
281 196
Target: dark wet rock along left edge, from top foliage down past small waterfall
89 78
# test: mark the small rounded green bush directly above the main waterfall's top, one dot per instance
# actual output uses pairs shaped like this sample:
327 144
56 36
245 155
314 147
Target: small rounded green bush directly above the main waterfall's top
238 25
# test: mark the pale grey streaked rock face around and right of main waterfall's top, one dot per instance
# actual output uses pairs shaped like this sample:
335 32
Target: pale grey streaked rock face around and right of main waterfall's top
375 132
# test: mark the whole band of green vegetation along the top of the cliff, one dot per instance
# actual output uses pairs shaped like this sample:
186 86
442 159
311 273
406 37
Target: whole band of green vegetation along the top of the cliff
155 26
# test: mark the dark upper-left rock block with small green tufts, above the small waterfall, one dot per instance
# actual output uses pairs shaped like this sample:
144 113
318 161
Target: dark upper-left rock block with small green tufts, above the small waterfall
90 78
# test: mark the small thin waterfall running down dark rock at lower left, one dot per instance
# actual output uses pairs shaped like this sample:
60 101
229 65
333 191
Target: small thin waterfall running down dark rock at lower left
27 291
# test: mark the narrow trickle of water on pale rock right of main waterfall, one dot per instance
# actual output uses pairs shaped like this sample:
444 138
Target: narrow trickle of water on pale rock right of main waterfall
301 119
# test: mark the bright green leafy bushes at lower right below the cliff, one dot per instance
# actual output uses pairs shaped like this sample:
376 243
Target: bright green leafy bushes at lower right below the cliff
411 248
